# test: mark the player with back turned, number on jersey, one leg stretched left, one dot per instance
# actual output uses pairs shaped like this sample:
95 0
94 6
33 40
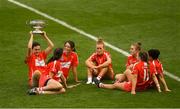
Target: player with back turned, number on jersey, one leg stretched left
142 73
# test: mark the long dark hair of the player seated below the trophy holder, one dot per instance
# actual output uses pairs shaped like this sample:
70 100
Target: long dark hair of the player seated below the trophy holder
56 55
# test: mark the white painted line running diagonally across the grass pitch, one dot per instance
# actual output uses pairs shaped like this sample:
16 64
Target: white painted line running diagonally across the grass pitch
81 32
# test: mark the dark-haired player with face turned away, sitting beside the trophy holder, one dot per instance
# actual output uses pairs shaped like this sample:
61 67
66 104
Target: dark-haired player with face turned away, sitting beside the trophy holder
49 82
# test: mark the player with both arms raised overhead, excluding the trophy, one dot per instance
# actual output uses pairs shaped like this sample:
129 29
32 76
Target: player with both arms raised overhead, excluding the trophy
35 58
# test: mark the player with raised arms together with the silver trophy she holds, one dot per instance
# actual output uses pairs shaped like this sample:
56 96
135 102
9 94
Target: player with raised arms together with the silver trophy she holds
35 57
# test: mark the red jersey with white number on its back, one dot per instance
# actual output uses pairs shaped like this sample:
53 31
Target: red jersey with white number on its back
144 74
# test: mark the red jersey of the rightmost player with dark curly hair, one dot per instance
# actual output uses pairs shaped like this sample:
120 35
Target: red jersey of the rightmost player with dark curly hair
158 66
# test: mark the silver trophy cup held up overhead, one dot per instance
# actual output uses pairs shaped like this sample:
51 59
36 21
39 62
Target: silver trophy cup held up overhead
37 25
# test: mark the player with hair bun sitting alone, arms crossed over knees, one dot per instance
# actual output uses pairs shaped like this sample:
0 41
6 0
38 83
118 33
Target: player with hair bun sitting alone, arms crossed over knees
99 63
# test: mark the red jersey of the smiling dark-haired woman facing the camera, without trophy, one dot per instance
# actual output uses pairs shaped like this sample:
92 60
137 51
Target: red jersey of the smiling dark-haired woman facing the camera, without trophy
67 61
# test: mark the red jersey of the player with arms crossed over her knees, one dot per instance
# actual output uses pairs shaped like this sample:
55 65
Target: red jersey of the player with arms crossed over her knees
100 59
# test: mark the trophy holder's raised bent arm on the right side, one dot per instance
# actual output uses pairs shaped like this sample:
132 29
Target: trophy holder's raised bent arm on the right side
50 43
